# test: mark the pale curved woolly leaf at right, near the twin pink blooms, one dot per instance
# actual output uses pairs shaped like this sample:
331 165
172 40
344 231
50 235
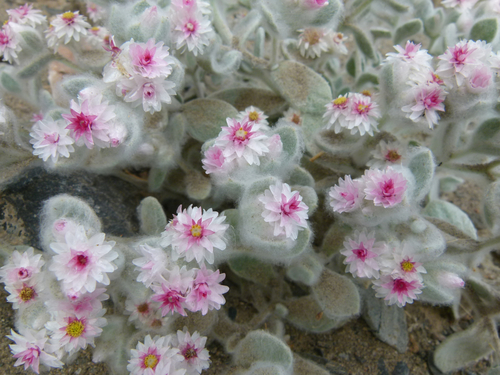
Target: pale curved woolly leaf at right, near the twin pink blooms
452 214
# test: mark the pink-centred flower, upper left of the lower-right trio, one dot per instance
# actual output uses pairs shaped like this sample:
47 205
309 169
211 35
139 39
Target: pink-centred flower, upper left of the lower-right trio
362 254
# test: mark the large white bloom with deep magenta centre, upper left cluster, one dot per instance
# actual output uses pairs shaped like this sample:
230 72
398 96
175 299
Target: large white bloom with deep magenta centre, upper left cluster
90 119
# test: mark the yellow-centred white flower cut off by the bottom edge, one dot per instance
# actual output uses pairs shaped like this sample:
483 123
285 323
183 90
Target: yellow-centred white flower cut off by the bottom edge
155 357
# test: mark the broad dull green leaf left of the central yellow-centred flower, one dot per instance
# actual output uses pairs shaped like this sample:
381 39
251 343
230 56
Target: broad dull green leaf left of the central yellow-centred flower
206 117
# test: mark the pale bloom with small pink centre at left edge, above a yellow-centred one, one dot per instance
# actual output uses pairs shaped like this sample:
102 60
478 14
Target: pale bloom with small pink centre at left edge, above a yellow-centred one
21 267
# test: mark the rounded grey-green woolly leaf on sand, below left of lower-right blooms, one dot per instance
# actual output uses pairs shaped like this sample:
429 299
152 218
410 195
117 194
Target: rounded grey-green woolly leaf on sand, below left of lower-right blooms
337 295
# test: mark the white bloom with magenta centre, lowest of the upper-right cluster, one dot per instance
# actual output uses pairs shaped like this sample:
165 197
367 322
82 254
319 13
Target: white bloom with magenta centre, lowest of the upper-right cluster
428 100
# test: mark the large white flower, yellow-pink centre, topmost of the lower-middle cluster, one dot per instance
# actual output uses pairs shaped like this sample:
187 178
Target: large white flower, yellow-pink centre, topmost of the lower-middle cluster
196 233
